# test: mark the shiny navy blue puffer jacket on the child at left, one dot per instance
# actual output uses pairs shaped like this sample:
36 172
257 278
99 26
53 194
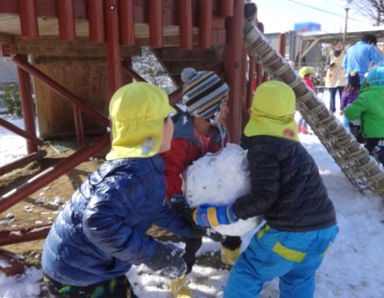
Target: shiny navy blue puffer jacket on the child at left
102 229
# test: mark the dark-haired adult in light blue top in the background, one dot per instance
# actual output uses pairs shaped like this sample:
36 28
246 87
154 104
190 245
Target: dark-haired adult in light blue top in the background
360 56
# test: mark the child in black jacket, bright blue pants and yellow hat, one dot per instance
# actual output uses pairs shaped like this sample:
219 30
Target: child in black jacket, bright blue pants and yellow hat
287 189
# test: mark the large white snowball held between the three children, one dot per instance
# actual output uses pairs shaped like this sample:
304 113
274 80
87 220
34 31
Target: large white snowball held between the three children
217 179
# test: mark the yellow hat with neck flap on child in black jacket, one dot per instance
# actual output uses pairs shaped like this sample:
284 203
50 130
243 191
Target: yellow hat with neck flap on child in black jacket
272 112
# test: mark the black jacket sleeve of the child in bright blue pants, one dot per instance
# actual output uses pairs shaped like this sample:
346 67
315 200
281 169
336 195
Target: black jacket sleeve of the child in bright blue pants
265 183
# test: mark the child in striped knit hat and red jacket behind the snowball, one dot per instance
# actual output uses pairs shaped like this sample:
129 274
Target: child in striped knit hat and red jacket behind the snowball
199 129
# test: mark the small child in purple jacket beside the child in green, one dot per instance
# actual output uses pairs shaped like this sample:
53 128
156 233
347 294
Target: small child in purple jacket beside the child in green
350 93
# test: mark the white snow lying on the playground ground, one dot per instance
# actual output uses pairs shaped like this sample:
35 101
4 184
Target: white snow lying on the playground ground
352 268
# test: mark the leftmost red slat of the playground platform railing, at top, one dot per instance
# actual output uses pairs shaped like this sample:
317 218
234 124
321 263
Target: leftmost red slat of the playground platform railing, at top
28 18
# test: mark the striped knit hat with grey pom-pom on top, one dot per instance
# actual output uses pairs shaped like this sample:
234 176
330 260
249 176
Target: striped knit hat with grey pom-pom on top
204 92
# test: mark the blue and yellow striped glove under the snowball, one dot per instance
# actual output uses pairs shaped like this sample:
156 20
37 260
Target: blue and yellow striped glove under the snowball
212 216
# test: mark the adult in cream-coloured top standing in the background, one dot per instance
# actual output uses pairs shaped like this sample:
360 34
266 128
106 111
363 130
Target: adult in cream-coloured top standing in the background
335 78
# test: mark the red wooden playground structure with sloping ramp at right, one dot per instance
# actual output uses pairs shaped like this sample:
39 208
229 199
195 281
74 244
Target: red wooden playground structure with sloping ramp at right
78 52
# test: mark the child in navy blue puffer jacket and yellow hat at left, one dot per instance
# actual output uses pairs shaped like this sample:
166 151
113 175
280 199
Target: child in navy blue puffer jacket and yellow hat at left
102 230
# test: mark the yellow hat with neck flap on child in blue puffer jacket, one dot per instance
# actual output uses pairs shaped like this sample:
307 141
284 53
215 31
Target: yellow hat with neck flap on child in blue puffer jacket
137 112
